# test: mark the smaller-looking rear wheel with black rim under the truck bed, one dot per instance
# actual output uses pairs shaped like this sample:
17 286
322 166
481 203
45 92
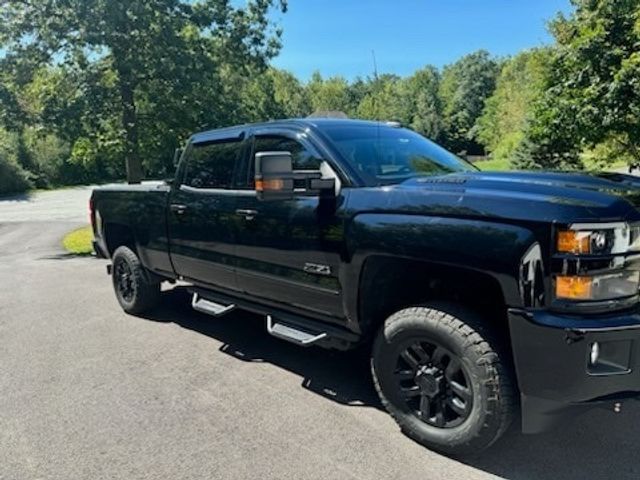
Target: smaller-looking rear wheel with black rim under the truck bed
135 293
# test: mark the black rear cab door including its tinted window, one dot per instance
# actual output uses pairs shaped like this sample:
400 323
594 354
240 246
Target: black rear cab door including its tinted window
201 215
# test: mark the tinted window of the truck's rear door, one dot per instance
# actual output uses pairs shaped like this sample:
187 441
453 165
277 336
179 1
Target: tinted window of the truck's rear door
210 165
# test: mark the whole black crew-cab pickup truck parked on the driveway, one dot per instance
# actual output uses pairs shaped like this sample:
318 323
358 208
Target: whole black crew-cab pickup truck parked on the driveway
481 295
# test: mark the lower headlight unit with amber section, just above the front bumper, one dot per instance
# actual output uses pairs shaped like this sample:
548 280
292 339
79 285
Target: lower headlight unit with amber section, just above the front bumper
597 287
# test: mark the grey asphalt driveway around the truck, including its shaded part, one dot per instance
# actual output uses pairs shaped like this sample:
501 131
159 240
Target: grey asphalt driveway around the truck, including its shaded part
87 391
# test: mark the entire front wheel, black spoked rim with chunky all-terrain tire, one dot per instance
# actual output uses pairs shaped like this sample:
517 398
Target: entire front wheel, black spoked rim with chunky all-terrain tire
441 376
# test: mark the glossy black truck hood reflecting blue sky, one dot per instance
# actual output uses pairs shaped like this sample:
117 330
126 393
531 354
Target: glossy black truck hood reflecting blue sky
548 197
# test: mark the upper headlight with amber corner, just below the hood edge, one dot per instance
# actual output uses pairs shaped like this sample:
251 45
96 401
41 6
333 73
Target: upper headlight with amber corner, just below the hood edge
598 239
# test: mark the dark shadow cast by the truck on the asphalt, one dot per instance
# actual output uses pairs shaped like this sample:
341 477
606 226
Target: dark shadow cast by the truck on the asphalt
598 444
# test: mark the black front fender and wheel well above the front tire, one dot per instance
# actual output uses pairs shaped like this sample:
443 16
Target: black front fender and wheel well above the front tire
400 260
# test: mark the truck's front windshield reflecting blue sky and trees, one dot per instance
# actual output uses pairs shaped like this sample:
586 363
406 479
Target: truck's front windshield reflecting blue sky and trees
386 155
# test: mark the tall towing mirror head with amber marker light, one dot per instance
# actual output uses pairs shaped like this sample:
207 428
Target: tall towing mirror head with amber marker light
274 176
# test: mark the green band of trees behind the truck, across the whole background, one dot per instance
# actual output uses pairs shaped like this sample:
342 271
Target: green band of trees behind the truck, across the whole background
83 100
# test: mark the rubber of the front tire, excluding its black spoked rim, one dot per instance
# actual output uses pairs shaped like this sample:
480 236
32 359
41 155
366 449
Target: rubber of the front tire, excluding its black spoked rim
464 334
